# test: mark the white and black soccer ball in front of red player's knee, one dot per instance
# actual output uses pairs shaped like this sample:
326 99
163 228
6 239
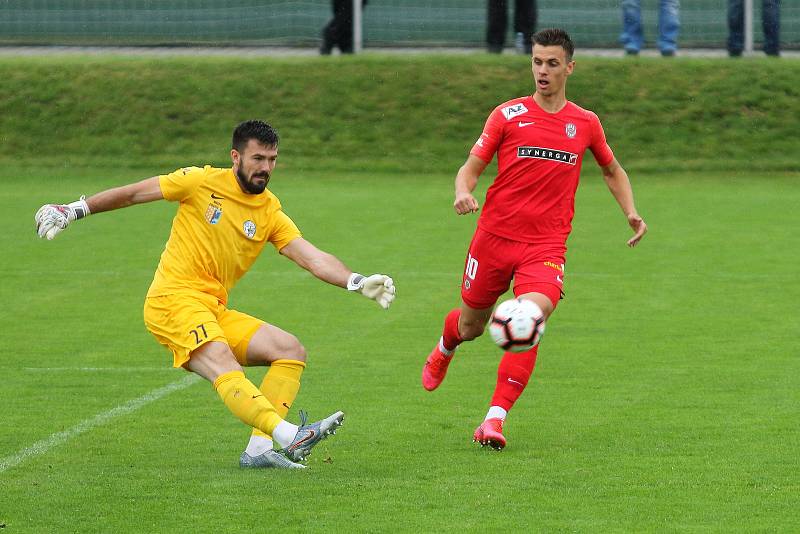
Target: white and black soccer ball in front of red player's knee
517 325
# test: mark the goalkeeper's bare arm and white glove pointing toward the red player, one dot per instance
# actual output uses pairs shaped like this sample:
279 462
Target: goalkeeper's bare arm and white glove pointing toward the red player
328 268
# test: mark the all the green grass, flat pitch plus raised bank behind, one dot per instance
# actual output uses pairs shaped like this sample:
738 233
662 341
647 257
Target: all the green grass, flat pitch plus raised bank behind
666 395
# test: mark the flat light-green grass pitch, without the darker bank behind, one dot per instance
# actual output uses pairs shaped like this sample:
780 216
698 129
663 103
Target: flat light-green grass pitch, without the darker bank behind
665 398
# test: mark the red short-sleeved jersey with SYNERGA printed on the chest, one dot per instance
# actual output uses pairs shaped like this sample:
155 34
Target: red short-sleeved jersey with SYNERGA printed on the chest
539 156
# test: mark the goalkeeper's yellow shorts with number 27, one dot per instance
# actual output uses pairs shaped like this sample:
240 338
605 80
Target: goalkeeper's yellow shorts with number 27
183 322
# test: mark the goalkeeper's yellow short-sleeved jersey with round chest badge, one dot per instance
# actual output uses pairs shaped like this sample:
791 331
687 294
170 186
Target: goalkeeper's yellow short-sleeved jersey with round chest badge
218 232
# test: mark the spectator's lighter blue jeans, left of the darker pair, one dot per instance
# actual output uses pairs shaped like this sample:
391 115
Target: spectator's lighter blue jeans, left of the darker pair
669 24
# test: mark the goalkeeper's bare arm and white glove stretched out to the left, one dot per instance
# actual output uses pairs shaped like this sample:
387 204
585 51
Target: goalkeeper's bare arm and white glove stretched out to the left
52 219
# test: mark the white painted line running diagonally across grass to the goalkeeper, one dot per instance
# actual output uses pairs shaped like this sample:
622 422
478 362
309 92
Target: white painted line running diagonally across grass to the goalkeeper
58 438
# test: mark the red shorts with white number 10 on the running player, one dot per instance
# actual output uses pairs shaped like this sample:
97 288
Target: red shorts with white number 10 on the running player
494 261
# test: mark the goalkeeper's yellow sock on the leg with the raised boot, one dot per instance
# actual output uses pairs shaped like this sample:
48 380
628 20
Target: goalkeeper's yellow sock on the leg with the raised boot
246 402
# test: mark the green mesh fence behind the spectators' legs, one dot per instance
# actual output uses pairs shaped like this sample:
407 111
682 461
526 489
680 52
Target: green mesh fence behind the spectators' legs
386 23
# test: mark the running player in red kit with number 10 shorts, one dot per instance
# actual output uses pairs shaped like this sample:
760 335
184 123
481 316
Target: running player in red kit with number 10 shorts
540 141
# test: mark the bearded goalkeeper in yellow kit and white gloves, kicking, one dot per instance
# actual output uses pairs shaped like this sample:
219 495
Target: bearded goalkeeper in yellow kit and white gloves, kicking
224 218
